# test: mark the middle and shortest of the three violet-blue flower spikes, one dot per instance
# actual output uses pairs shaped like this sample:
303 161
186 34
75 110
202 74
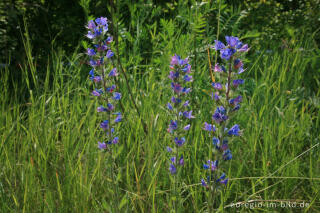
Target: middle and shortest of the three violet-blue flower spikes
178 107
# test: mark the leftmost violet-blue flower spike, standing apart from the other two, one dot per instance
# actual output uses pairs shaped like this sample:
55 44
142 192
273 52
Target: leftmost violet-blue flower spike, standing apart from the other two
103 76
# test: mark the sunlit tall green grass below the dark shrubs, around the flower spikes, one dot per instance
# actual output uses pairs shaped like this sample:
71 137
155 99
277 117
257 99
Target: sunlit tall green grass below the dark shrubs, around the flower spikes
49 157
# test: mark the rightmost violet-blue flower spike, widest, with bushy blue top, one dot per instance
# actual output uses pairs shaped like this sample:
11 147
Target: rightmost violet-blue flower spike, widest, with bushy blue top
228 102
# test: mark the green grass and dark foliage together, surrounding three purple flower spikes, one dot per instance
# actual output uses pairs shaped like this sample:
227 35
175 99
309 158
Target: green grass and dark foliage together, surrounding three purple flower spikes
49 129
